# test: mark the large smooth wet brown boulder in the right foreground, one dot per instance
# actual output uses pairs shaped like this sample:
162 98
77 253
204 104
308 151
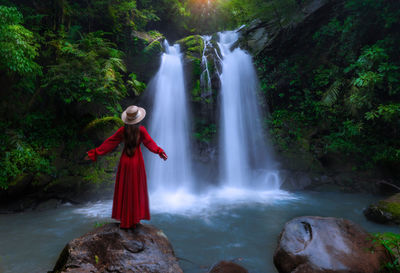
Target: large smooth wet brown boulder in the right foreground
322 245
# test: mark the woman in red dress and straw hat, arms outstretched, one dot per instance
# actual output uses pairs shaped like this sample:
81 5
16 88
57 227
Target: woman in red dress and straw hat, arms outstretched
131 201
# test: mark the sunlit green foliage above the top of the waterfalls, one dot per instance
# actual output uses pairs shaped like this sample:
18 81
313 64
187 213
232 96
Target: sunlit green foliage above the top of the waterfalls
194 16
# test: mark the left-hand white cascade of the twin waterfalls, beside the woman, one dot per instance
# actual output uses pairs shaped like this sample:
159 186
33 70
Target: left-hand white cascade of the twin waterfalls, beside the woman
168 126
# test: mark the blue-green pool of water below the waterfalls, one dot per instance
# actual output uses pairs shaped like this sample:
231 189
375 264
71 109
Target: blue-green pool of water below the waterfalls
204 231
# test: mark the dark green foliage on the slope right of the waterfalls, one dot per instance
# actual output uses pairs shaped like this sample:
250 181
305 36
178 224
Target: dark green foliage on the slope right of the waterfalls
343 87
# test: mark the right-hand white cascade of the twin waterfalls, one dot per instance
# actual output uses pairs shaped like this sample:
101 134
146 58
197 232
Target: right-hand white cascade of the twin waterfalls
245 156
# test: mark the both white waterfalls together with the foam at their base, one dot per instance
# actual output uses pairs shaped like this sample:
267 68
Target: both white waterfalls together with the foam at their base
248 176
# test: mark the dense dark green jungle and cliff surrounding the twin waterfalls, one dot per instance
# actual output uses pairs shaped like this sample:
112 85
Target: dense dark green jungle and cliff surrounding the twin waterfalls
328 73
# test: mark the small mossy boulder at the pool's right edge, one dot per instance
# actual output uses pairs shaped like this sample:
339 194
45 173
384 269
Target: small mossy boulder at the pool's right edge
385 211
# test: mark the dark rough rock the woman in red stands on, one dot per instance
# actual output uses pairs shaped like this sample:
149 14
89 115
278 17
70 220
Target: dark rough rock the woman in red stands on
145 249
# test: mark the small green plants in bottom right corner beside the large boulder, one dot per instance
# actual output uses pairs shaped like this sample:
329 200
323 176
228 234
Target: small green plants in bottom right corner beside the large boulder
391 241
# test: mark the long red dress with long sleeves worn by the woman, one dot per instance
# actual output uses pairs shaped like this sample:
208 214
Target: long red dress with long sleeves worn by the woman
131 200
